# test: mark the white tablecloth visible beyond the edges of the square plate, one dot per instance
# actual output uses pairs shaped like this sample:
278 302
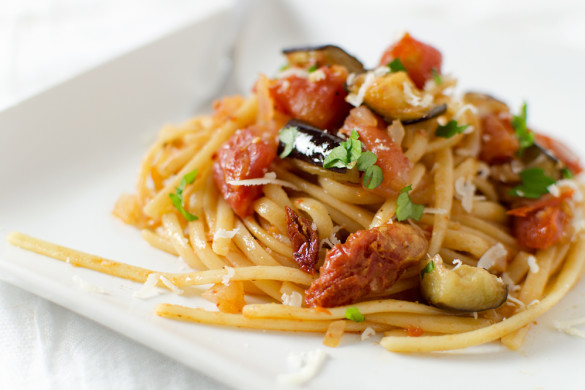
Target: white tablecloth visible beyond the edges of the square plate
42 42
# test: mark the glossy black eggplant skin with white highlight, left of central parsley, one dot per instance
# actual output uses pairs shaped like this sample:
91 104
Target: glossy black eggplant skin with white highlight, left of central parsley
312 144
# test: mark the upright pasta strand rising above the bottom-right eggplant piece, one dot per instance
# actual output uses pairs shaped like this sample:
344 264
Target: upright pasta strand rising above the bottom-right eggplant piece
443 198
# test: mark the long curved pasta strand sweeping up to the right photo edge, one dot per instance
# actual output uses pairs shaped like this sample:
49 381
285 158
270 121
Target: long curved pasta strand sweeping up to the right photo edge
565 281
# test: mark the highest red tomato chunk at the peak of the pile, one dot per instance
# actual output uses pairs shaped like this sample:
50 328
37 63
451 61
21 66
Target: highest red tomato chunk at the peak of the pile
418 58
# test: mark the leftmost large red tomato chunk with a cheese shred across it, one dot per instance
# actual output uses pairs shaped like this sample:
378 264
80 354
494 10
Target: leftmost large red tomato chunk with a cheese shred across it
246 155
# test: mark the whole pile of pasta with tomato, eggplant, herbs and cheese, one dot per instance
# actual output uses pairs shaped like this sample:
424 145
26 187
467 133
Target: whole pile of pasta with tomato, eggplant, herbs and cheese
359 200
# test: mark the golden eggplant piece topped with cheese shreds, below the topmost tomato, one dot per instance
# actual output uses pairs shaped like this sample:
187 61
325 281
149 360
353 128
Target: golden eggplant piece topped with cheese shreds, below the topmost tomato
385 96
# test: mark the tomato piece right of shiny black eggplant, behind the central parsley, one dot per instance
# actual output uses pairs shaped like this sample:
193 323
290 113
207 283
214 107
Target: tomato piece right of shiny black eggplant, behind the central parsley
396 167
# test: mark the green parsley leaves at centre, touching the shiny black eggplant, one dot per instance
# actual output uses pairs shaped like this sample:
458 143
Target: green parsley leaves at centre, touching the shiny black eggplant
349 154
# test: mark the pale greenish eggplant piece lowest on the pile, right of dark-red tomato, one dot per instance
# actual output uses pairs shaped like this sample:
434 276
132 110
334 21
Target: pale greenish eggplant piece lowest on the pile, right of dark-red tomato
464 288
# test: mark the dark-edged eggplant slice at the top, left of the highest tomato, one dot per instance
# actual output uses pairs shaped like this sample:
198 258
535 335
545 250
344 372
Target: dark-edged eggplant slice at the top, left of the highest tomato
323 55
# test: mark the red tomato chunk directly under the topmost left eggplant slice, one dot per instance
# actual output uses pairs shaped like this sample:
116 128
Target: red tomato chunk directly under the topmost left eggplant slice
319 102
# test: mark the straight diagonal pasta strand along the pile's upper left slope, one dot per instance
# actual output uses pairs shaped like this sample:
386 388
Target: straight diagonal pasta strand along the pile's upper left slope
245 115
